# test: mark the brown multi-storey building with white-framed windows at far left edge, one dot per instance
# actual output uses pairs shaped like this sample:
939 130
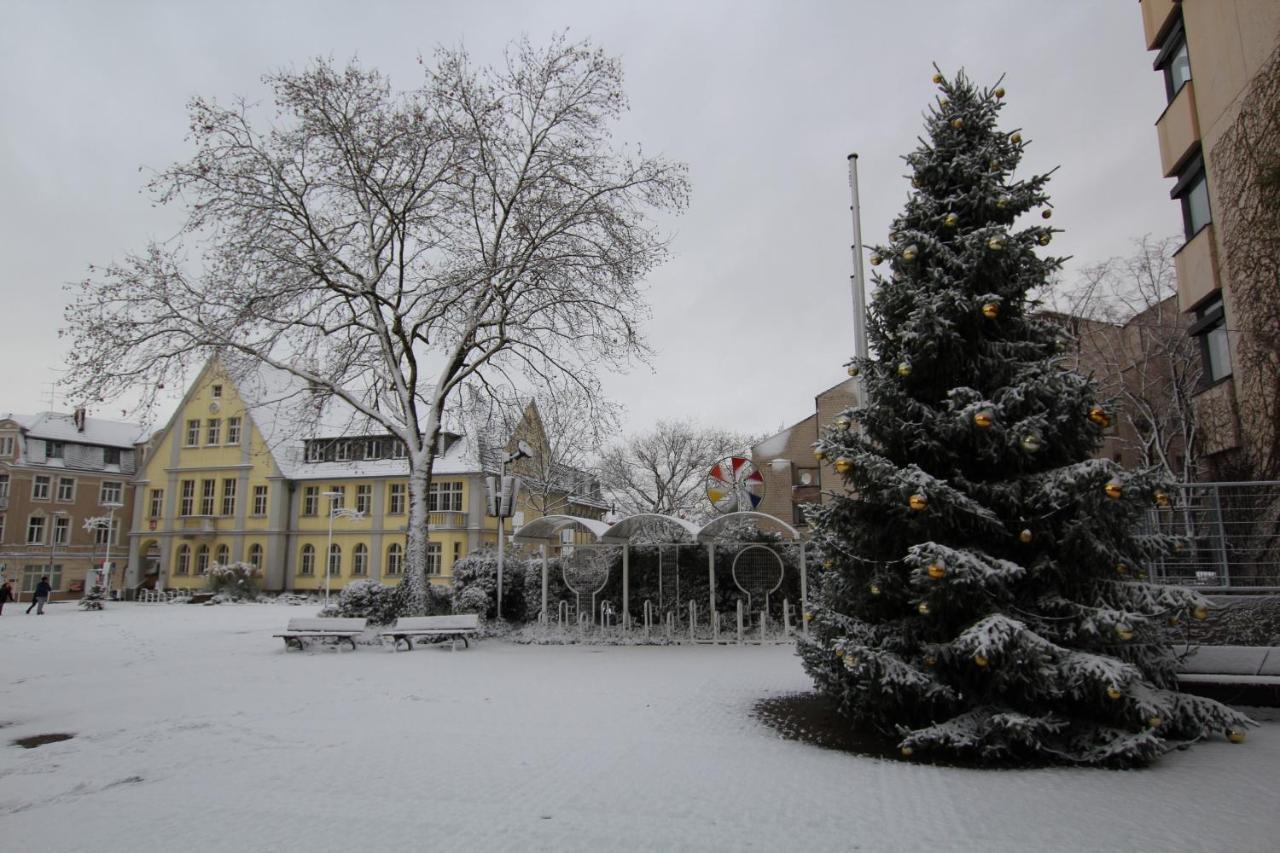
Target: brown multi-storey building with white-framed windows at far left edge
66 499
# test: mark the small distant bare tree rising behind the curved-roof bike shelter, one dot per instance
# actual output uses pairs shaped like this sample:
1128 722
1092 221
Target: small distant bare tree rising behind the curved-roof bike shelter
665 471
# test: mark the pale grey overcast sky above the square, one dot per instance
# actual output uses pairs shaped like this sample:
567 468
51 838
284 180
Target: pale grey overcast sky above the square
765 102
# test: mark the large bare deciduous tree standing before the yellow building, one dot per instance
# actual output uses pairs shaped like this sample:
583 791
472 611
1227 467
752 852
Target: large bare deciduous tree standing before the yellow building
388 247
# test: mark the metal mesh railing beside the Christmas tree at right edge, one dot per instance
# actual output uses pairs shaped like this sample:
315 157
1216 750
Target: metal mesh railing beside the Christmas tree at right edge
1229 535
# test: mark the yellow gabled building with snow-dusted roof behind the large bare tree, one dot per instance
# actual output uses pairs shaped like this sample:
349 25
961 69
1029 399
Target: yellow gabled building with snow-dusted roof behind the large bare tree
259 469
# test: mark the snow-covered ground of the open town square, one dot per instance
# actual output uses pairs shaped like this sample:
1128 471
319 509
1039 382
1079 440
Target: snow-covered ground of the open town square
196 732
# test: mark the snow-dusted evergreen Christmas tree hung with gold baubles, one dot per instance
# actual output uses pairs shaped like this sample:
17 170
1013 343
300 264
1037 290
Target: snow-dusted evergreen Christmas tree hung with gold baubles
985 589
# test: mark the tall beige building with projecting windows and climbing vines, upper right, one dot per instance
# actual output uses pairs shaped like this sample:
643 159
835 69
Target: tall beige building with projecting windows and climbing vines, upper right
1218 136
